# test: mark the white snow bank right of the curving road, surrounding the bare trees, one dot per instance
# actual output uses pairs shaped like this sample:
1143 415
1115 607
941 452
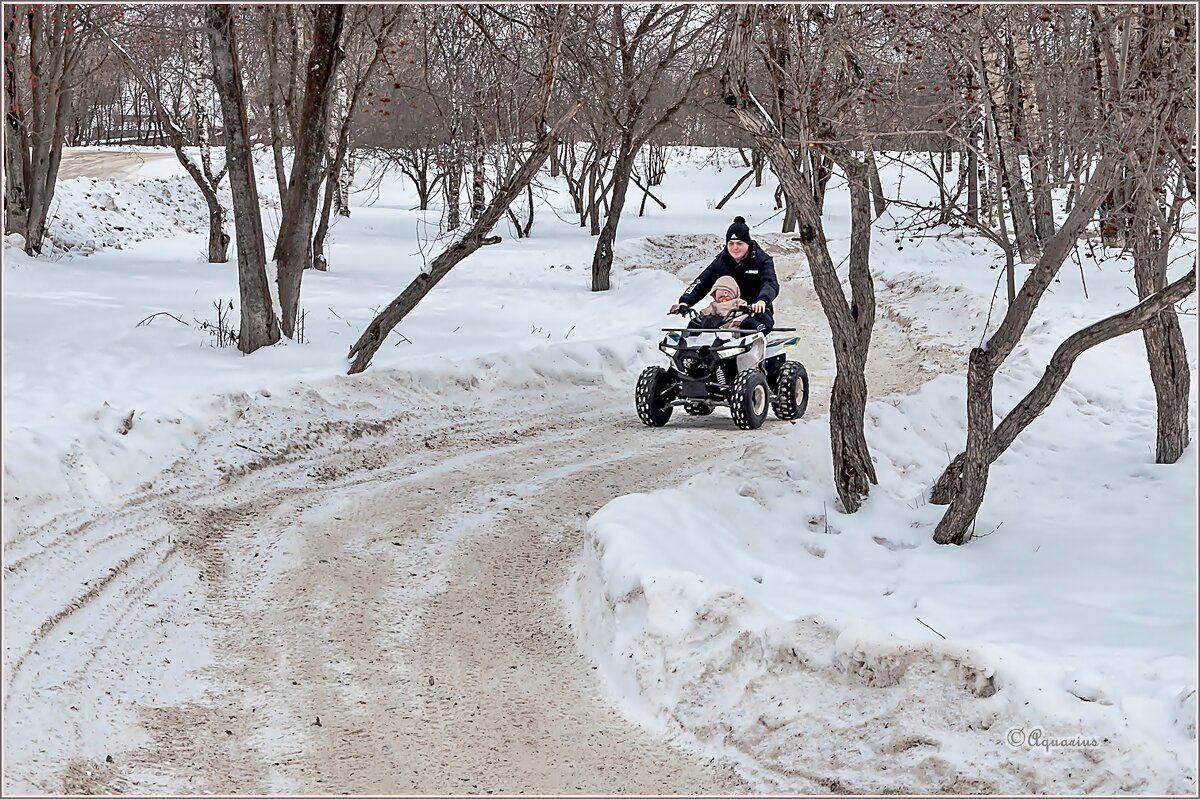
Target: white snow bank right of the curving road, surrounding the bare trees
743 614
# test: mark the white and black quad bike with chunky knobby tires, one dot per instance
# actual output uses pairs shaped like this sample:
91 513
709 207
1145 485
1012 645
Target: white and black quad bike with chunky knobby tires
740 370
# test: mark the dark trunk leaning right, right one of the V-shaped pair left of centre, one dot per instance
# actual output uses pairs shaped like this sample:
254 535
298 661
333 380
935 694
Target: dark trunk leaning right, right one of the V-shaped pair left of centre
293 249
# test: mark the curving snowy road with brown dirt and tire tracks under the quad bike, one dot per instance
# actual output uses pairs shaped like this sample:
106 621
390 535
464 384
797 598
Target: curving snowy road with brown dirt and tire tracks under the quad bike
357 588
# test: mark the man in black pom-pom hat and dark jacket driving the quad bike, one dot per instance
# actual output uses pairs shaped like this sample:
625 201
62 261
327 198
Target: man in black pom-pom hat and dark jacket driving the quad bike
752 268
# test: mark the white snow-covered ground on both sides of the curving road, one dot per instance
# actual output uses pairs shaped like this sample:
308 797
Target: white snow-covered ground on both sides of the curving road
740 614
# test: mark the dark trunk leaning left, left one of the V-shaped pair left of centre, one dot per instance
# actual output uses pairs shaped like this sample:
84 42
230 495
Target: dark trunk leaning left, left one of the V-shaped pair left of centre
259 325
